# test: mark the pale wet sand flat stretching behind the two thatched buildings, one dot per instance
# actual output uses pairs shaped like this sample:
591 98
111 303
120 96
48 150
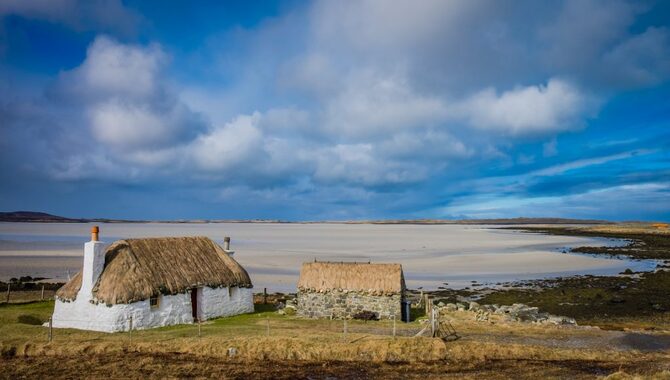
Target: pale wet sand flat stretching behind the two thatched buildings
272 253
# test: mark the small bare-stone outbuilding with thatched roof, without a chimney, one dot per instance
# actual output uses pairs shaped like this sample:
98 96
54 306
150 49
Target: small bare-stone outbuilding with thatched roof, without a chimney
342 290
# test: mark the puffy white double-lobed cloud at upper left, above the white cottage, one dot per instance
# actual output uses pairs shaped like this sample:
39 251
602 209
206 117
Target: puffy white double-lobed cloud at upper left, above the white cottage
127 104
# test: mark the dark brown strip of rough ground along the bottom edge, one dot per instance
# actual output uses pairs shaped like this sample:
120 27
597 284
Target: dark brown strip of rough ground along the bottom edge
137 365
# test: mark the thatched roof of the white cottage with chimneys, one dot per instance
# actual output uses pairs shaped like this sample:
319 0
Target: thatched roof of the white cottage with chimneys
136 269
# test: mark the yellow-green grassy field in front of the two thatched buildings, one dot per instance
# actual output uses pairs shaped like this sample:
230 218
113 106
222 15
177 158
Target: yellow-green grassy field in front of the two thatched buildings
237 347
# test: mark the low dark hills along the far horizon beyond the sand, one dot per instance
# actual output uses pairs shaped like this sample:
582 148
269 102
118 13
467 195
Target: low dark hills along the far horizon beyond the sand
42 217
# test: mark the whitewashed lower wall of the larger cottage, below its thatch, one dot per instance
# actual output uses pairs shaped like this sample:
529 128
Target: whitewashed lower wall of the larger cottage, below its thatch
175 309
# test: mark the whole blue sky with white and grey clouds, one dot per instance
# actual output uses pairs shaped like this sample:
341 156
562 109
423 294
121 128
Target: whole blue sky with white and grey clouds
335 110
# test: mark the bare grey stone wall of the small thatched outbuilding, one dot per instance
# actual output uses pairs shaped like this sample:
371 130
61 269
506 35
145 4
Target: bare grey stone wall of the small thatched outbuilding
342 304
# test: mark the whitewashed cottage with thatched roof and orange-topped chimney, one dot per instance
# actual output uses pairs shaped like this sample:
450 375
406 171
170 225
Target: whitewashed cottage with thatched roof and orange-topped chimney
153 282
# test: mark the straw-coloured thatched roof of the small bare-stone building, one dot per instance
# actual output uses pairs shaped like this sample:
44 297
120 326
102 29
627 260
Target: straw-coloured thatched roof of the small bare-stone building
360 277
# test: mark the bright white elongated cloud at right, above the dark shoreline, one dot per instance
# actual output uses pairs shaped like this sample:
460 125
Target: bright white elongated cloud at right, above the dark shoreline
556 107
